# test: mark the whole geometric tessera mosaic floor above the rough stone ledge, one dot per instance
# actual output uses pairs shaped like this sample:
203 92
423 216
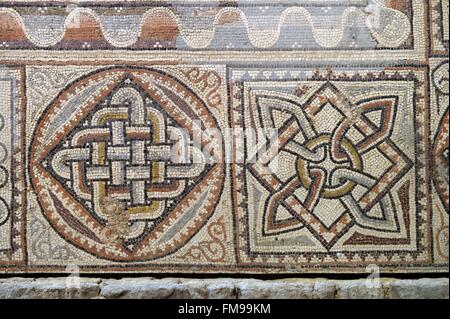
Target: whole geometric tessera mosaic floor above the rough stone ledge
240 136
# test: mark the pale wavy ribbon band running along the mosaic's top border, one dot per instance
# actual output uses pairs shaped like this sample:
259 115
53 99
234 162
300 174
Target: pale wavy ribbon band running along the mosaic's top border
391 30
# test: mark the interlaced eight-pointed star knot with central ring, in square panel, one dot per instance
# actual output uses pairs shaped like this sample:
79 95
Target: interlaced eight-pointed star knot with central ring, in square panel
330 163
